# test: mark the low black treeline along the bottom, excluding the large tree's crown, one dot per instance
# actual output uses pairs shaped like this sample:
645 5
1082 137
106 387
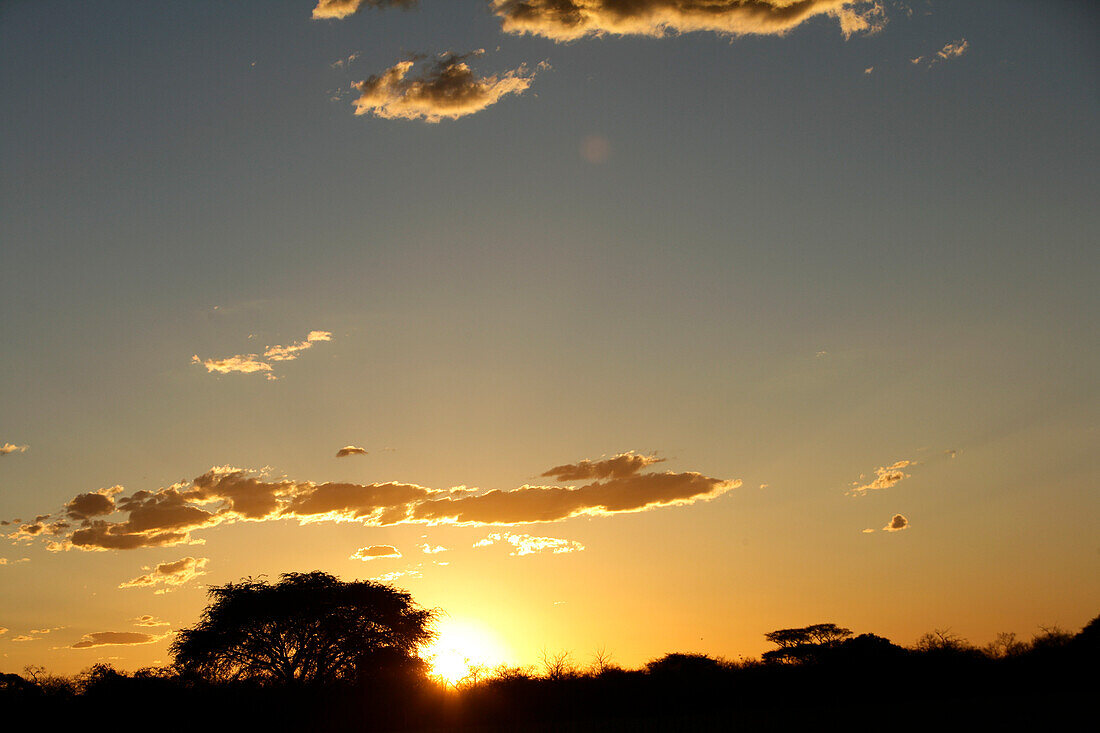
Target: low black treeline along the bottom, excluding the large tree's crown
820 676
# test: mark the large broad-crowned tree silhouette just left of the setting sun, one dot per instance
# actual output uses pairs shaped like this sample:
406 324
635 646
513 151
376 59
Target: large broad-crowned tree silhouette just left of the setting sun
306 629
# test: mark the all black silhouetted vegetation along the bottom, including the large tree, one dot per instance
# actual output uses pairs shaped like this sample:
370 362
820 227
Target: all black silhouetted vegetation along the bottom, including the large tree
315 654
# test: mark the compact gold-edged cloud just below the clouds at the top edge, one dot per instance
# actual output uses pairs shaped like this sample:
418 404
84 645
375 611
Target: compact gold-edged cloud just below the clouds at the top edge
447 89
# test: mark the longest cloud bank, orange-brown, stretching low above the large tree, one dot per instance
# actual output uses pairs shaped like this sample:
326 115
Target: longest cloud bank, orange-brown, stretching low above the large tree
226 496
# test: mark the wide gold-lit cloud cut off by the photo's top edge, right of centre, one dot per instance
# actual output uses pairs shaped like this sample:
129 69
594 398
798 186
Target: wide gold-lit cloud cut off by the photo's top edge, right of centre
569 20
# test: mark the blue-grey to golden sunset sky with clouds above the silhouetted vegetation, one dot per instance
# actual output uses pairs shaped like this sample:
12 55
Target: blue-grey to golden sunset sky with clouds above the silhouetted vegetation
640 327
